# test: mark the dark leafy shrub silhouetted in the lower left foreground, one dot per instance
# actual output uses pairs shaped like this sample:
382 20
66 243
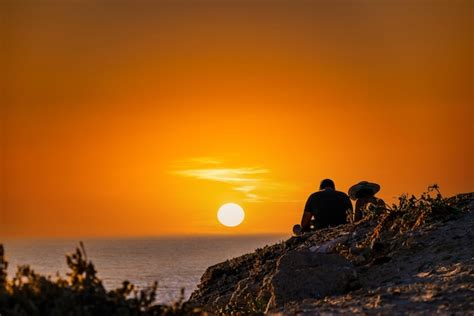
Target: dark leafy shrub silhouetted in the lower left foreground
81 293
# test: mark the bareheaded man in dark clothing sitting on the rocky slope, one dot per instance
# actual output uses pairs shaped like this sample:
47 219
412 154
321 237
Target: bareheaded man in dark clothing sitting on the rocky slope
328 207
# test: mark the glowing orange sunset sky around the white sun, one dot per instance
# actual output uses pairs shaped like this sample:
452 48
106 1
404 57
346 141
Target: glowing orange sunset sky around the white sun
135 118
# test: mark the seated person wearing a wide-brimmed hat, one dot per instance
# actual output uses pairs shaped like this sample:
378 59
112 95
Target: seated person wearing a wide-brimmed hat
364 195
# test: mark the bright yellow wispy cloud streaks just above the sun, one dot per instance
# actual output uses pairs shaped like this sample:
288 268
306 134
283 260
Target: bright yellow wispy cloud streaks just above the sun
253 182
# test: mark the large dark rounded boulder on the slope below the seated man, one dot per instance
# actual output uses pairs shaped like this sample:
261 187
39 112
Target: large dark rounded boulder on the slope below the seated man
305 274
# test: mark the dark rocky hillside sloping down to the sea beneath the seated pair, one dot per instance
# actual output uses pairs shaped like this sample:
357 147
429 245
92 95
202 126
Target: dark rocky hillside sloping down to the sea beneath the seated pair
416 256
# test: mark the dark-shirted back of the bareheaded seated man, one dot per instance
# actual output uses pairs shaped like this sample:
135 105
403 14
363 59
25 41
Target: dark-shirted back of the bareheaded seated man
329 208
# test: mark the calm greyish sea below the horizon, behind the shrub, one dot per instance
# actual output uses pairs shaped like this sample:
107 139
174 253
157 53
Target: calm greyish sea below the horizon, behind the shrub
173 262
